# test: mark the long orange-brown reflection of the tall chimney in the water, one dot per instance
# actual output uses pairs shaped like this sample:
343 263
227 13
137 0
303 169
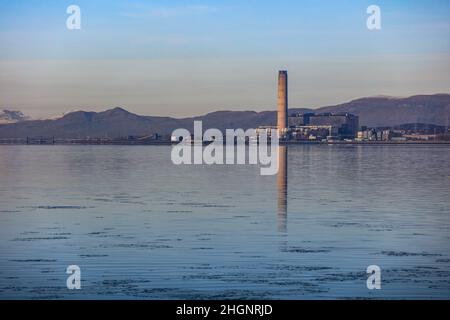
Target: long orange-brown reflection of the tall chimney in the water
282 189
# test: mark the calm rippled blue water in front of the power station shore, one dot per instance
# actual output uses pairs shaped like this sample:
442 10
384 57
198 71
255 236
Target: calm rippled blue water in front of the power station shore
140 227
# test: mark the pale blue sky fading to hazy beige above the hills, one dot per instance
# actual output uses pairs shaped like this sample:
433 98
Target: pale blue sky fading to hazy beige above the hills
184 58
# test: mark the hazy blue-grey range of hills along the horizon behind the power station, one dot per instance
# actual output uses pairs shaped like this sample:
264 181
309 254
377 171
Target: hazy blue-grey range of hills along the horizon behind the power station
118 122
